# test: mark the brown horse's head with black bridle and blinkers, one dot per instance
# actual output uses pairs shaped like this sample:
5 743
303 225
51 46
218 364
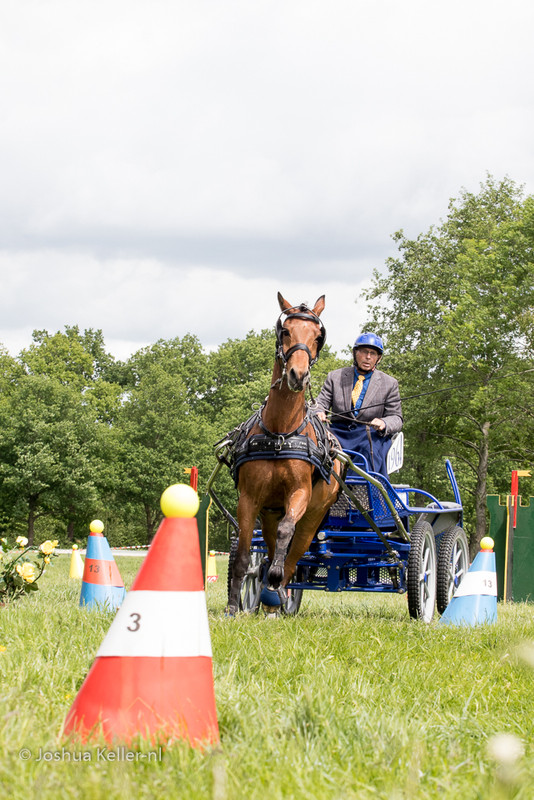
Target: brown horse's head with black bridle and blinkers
300 334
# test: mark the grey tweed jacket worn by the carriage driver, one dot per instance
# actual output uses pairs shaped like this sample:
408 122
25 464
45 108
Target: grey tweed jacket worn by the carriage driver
382 399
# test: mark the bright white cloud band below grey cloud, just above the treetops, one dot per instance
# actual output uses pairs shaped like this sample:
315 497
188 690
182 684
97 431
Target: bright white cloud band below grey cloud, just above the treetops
137 302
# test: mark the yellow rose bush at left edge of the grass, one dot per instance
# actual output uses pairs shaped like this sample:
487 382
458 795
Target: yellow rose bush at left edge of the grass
22 565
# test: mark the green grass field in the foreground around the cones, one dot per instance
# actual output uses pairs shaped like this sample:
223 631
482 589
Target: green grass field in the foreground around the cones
349 699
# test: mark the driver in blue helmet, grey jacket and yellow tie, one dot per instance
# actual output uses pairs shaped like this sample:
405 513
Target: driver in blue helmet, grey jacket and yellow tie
365 403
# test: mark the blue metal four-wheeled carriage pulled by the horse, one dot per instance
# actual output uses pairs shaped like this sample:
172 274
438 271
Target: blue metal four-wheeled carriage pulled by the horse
377 537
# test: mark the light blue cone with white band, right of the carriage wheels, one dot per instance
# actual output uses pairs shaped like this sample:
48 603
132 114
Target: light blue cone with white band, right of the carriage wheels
475 600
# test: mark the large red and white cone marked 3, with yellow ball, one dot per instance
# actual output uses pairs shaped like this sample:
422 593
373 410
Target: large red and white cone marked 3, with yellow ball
152 676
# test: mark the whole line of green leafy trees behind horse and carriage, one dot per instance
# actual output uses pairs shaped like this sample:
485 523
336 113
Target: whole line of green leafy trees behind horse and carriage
83 435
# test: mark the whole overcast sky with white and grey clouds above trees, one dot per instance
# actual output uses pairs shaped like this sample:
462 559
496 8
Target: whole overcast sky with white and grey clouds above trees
166 166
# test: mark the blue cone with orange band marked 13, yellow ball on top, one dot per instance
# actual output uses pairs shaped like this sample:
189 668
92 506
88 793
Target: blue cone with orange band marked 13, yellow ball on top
102 584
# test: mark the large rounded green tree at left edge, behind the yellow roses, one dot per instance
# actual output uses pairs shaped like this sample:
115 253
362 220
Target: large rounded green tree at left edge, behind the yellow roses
57 409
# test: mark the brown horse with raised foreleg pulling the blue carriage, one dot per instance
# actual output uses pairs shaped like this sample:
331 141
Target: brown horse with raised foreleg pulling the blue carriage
282 492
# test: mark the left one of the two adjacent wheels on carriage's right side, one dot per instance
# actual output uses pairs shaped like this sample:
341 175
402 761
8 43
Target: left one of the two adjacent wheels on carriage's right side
422 572
